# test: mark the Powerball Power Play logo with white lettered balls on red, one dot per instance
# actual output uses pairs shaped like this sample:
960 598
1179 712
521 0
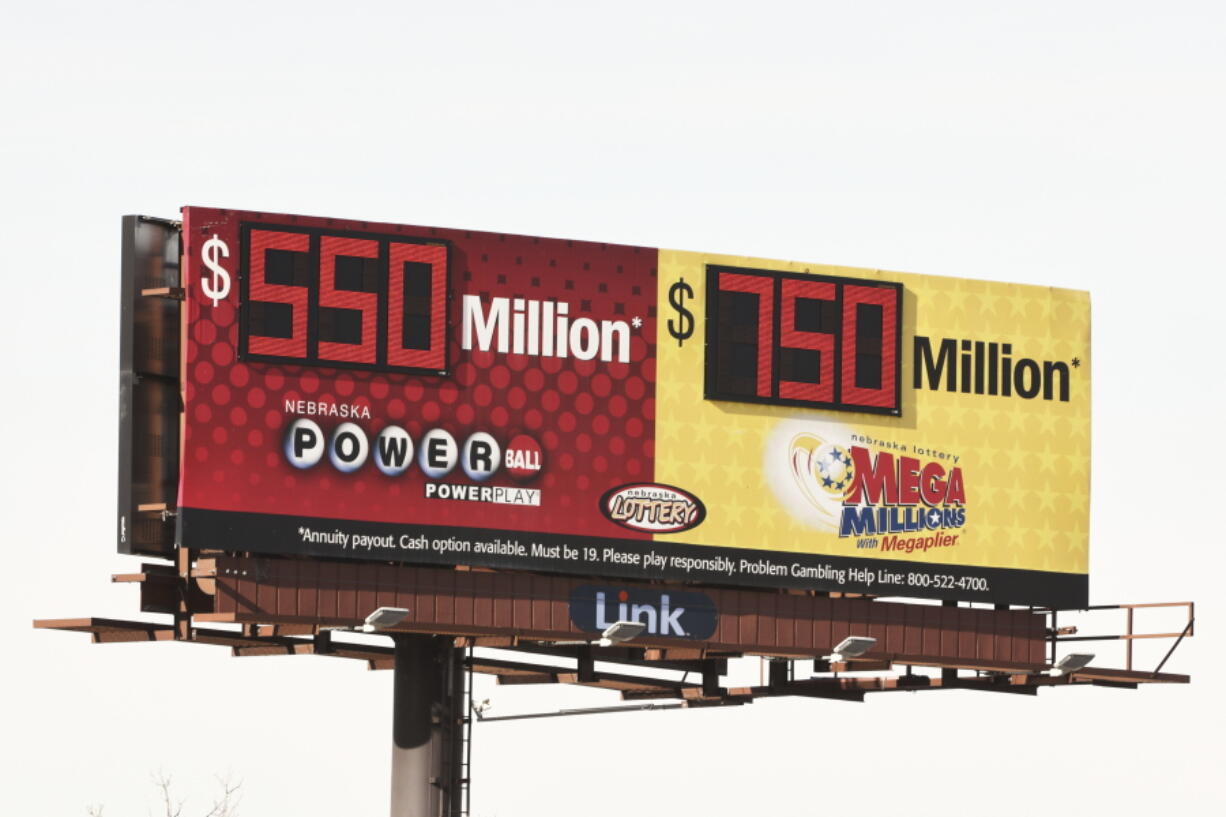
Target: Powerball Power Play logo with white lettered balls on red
437 455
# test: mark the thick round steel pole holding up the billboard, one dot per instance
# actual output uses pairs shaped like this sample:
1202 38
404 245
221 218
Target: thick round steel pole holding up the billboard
416 699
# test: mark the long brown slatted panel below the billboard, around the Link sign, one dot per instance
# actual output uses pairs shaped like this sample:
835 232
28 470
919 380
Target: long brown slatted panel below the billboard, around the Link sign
538 608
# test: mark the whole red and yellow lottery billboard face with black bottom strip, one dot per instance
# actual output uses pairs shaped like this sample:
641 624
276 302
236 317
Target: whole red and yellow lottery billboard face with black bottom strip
415 394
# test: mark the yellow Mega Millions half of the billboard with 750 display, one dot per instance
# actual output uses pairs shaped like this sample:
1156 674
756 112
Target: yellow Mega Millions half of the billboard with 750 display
970 448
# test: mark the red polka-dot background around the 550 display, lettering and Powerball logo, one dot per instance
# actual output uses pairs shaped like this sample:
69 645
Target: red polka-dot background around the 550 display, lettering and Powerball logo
588 416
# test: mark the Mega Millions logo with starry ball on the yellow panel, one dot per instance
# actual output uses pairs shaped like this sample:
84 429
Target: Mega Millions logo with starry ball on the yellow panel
885 495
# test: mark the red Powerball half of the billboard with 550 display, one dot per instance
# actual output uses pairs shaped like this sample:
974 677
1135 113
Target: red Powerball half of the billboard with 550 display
395 376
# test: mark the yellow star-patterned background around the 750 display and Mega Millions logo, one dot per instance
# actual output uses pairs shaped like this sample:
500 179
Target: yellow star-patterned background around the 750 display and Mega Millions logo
1026 463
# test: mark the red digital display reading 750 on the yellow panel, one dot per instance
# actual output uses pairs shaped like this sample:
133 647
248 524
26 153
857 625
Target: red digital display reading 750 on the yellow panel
804 340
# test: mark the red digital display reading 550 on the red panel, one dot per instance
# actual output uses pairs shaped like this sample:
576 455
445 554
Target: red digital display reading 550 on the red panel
316 297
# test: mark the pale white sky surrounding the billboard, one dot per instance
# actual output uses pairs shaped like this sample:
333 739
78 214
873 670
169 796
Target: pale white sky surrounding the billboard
1066 144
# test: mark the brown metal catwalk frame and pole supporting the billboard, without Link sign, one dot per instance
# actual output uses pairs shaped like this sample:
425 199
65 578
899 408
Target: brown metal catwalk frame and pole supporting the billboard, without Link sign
286 607
